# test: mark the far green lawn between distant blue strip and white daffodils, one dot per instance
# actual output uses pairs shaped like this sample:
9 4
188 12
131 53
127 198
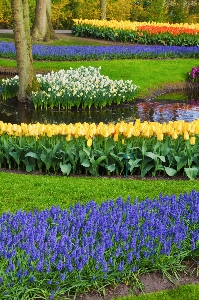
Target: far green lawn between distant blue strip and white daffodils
147 74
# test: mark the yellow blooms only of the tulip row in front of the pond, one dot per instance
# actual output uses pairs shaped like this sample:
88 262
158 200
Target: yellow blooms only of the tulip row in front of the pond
127 130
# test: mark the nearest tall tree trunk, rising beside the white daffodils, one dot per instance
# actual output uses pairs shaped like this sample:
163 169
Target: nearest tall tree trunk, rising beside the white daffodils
23 45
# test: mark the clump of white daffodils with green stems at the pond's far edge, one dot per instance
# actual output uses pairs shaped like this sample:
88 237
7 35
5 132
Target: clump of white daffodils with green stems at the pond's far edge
83 87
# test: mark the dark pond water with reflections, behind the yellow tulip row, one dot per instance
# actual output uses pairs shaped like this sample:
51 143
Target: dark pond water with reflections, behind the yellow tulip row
183 105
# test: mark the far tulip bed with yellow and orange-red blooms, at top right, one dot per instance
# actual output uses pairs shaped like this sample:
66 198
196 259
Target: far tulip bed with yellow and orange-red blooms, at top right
139 32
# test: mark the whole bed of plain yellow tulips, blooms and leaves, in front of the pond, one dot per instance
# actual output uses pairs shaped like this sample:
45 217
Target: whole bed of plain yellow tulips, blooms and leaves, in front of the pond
123 148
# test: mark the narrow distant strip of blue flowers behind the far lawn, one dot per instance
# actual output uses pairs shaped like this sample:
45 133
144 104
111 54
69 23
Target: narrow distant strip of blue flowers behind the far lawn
69 53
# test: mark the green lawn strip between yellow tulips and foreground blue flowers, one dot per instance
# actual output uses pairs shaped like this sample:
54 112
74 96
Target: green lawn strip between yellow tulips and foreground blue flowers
27 192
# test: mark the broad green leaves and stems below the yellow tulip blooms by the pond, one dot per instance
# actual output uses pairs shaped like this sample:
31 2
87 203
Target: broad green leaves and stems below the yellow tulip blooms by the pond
103 157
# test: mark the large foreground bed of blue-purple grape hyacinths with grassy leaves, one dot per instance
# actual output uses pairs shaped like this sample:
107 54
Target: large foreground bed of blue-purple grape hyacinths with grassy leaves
58 251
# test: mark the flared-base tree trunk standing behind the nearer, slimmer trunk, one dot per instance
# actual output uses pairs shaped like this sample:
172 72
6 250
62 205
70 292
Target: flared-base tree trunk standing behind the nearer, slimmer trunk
42 27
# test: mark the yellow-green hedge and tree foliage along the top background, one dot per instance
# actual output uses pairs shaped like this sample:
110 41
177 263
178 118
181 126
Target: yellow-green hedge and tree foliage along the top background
63 11
